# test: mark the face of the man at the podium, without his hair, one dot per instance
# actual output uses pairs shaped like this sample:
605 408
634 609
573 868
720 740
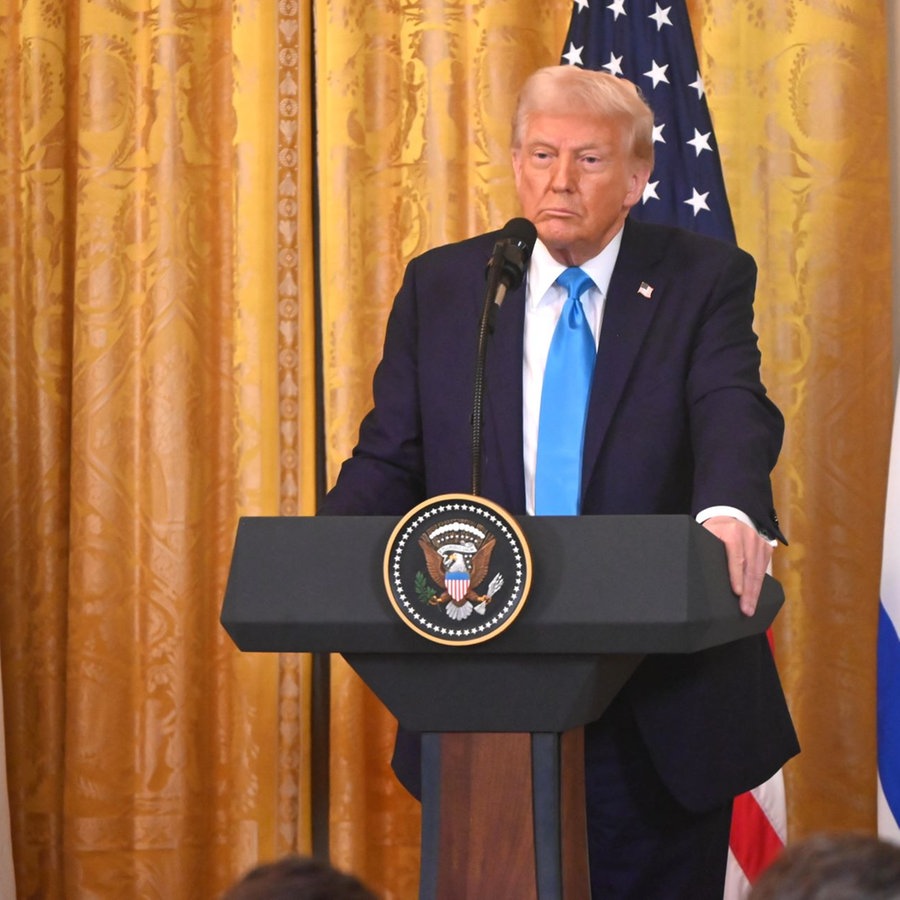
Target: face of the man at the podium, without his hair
576 179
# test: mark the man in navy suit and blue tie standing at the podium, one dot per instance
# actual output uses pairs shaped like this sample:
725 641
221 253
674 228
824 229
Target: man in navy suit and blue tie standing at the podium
622 378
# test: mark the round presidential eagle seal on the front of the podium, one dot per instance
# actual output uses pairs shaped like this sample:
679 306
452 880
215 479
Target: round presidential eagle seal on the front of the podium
457 569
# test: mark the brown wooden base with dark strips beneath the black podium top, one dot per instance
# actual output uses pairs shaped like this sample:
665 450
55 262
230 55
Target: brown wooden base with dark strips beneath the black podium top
503 816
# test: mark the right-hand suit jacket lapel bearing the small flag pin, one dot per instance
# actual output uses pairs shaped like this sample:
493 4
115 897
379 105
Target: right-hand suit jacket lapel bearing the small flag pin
626 317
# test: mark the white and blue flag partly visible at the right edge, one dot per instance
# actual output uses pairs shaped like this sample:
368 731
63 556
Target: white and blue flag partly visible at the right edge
889 653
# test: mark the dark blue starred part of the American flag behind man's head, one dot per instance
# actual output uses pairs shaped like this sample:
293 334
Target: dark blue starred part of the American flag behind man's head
652 45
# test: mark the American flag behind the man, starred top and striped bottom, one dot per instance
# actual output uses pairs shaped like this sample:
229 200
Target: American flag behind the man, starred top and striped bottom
651 44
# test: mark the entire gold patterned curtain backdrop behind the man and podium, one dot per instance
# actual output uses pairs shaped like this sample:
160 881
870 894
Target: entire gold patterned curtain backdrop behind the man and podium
157 381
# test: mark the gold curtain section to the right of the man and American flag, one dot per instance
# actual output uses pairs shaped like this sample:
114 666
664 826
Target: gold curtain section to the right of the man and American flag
799 93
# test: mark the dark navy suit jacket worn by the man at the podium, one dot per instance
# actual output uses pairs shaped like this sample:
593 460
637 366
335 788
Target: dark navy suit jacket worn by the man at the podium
678 421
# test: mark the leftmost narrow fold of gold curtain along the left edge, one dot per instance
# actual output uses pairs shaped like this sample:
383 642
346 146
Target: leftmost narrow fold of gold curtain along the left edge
36 361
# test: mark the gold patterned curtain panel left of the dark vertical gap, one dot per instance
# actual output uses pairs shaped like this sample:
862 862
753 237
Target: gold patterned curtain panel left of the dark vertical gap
156 368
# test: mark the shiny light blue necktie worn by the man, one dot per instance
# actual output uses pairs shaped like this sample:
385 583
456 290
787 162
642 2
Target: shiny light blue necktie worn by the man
564 400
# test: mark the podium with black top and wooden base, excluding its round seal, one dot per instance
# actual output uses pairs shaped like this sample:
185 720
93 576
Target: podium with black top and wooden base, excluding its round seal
605 592
